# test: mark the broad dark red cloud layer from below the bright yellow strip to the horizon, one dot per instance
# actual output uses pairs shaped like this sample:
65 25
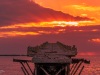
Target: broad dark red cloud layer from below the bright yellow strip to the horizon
79 38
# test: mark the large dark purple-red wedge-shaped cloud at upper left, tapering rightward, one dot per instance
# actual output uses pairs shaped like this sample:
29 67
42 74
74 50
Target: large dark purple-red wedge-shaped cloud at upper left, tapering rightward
23 11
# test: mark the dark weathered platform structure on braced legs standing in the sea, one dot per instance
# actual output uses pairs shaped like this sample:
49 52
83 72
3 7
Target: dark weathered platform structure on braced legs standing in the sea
53 59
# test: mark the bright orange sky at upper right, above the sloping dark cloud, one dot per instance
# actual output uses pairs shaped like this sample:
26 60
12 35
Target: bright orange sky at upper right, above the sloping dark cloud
86 8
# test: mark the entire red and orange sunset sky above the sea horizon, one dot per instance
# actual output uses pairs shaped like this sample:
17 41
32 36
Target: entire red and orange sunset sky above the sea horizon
26 23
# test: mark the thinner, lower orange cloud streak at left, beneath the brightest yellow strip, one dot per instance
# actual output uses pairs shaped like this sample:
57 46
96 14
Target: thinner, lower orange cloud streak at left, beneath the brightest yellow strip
7 34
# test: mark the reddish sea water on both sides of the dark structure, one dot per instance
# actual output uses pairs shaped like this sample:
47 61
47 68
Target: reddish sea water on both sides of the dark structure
8 67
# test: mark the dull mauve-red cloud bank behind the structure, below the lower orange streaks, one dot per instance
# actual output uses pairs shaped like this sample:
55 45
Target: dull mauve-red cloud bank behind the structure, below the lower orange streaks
19 44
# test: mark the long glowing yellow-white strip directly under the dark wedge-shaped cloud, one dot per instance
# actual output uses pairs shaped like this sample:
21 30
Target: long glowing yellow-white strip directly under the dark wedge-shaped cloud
50 24
